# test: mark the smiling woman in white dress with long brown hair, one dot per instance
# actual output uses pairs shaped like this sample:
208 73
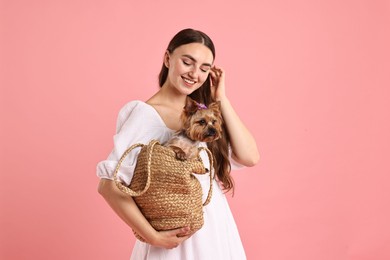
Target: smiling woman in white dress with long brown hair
187 69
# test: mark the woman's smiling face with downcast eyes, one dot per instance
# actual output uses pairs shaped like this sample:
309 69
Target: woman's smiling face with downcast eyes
188 67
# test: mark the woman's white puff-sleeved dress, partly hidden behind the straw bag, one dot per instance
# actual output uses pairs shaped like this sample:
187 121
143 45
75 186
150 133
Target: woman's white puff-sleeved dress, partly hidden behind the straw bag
218 239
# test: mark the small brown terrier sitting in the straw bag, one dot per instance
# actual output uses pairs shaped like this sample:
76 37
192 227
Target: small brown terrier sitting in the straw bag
199 124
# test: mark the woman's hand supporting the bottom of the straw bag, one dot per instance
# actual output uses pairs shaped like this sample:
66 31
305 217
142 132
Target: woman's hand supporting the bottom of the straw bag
171 238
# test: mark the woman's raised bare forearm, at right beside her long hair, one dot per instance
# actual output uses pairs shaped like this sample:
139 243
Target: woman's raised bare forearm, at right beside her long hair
244 148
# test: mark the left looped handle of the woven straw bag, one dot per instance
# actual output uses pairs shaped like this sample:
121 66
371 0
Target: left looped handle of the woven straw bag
126 189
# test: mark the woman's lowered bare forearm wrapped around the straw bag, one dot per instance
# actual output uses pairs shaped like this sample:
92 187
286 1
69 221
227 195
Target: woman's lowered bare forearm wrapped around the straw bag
125 207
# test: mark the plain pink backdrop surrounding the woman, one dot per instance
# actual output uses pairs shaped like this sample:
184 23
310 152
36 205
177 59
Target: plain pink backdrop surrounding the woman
311 79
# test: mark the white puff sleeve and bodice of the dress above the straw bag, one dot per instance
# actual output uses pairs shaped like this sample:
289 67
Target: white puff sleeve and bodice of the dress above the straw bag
137 122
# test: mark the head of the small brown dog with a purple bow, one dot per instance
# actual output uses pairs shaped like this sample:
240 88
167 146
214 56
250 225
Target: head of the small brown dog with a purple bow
201 123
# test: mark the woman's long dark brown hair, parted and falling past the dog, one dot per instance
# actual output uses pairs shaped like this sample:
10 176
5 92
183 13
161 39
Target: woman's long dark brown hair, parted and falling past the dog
219 148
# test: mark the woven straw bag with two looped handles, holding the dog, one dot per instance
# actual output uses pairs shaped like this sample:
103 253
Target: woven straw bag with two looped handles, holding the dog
165 189
